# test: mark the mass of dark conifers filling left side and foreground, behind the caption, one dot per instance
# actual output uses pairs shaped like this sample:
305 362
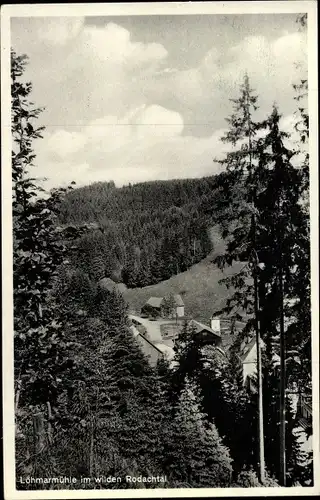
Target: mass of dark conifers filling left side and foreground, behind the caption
87 400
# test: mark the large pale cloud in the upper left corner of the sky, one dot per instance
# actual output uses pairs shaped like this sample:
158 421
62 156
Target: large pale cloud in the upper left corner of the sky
81 72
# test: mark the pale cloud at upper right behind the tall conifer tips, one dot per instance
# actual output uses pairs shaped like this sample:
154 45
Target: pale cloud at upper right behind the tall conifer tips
203 92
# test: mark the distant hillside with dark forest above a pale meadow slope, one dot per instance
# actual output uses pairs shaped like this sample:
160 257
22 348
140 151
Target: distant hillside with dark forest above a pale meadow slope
157 238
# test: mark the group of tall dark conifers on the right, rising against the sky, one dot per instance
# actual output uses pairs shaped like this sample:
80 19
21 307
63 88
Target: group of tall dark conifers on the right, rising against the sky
265 192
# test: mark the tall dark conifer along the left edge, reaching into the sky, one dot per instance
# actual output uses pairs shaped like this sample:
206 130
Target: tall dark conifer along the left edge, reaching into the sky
45 364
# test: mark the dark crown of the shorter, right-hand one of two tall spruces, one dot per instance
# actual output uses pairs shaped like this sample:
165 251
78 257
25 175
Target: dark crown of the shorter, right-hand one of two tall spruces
286 228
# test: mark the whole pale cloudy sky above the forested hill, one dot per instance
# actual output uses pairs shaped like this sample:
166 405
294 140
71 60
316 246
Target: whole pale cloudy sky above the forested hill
140 98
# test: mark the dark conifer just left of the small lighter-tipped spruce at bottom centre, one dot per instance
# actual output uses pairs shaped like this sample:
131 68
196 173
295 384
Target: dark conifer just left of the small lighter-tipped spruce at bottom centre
135 394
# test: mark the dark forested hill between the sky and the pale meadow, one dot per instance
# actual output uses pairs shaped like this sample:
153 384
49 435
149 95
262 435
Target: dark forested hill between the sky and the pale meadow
145 232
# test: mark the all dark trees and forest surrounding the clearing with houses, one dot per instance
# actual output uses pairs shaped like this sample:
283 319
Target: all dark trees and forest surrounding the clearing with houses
87 400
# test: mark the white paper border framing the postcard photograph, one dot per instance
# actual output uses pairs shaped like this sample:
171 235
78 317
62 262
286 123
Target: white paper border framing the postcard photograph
179 8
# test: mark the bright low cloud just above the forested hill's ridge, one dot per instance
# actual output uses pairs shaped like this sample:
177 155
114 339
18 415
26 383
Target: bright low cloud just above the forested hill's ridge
145 144
